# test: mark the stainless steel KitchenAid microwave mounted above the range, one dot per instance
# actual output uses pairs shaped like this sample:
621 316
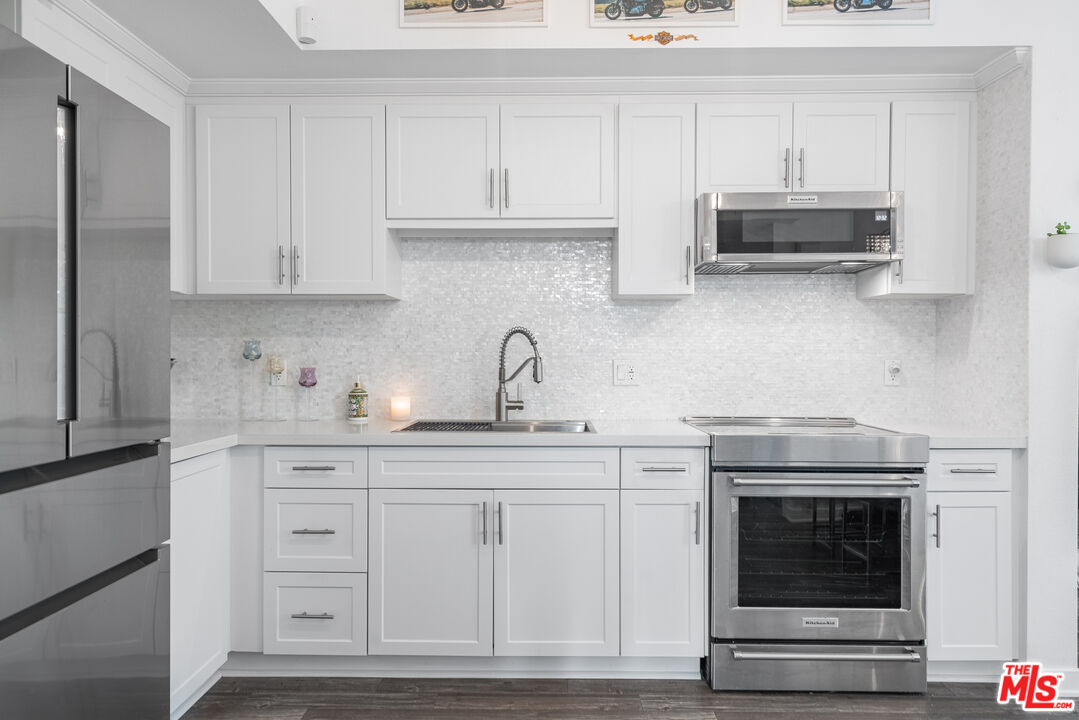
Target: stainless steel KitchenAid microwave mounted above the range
794 234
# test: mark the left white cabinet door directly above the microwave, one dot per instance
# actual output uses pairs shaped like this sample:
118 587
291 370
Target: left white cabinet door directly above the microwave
745 147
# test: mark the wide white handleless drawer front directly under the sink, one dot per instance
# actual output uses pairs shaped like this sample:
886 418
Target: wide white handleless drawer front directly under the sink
488 469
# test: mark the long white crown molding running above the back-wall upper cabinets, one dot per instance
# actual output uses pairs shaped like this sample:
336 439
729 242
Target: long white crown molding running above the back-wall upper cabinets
686 86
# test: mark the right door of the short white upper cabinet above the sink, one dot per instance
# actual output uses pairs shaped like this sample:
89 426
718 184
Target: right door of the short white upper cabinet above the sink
558 161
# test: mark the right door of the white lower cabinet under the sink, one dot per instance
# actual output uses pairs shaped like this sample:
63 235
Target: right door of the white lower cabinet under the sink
556 575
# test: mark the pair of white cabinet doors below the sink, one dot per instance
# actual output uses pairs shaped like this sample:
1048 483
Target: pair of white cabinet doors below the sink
510 573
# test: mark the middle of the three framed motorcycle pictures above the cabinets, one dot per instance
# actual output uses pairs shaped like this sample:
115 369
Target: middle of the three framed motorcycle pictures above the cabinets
651 16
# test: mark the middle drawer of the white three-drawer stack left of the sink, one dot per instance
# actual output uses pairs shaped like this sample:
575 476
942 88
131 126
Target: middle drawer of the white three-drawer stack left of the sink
316 531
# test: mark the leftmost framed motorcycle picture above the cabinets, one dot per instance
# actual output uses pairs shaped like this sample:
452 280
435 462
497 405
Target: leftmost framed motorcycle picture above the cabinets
474 13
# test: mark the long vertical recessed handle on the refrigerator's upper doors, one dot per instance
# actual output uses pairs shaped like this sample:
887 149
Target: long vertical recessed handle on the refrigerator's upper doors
67 398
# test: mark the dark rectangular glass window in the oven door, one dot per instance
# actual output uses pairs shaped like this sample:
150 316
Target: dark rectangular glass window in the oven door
821 553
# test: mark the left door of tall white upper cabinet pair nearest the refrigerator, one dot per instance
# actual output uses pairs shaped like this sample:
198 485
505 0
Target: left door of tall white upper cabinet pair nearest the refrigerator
242 166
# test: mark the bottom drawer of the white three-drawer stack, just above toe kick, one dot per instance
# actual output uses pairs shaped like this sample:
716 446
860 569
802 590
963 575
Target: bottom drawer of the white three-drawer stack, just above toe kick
313 614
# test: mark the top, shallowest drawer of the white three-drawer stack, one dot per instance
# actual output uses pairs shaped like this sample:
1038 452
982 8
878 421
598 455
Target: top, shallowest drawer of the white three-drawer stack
316 468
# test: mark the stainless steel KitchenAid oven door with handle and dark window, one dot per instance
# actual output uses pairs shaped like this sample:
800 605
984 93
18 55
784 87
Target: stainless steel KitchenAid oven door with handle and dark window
818 556
